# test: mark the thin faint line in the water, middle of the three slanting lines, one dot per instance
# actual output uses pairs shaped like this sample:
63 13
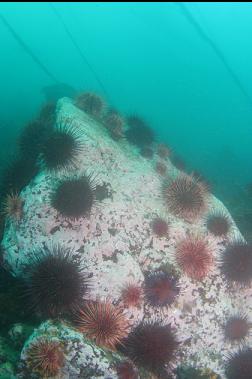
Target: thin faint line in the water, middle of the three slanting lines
80 52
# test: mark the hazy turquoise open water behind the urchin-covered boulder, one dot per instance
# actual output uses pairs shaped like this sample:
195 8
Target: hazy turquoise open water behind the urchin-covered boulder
184 67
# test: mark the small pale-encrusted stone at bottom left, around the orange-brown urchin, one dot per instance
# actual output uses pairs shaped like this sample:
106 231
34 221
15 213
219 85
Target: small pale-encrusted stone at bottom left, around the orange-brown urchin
82 359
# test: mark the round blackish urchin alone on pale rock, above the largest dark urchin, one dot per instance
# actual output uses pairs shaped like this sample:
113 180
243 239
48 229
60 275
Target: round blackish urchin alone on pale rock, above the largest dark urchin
74 197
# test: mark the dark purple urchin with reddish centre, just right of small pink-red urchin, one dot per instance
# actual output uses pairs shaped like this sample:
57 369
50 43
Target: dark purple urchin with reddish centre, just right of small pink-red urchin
161 289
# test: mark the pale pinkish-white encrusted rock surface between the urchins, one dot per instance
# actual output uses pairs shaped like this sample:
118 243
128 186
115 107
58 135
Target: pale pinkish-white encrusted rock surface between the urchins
117 246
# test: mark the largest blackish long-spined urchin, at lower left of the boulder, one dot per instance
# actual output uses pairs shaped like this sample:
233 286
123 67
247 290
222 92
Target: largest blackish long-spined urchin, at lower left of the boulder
55 284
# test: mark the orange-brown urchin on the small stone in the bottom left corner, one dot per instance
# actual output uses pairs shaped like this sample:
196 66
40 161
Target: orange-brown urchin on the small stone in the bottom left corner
45 358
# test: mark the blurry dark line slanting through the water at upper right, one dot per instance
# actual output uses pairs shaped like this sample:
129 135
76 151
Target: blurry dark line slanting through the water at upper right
215 48
